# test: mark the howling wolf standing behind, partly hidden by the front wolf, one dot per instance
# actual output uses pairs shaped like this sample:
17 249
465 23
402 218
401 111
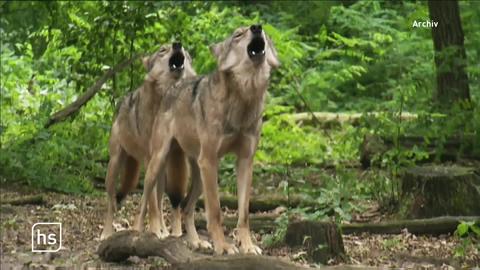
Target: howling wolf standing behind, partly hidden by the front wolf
130 136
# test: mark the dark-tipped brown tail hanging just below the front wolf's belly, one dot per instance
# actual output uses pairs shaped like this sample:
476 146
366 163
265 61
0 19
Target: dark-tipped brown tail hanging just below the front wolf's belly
177 176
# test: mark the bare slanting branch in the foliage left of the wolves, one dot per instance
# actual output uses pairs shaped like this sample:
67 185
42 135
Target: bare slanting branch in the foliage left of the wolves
83 99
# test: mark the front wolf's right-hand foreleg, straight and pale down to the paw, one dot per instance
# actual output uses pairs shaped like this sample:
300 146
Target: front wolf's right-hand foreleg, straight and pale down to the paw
244 170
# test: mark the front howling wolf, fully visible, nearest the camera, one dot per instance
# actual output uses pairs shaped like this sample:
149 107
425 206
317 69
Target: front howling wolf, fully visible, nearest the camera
209 117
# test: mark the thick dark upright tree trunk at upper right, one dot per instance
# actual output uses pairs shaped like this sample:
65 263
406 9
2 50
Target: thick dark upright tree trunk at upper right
450 57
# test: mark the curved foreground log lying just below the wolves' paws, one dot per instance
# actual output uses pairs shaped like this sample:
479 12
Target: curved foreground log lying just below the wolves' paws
121 245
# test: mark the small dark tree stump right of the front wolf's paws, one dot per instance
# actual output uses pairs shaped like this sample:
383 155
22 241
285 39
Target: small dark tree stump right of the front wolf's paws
322 240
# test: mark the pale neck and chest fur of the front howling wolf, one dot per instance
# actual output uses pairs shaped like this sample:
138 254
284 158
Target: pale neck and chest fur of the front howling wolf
242 96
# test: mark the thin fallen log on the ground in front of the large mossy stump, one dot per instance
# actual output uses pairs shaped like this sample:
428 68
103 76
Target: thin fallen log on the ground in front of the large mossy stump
428 226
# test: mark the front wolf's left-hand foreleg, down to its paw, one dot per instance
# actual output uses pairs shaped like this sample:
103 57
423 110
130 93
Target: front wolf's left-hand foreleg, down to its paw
208 170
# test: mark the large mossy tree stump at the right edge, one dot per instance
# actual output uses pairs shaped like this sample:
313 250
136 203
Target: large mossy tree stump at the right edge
436 190
